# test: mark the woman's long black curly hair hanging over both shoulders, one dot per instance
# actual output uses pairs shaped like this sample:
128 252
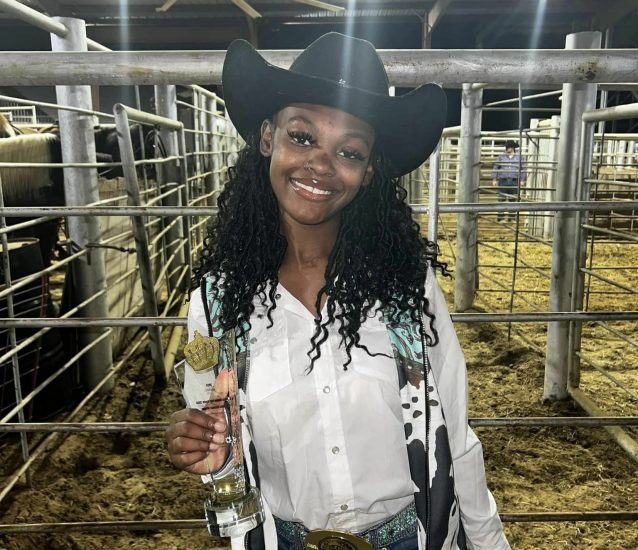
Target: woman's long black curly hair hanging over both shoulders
379 261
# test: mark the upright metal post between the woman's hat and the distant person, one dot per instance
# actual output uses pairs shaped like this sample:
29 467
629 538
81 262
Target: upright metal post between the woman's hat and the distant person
468 192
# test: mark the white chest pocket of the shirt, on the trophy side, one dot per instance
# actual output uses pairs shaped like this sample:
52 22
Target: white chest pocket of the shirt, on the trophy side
269 363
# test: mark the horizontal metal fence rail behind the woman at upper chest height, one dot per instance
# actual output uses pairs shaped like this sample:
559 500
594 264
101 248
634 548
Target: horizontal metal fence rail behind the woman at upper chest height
528 317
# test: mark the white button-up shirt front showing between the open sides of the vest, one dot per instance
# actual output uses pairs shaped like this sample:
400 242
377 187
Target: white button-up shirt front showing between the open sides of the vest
330 443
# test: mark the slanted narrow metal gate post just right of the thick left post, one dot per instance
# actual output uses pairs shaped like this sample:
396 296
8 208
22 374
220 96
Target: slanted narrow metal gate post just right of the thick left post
141 240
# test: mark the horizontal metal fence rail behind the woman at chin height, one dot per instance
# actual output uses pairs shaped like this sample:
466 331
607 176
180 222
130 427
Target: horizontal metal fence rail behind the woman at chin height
571 206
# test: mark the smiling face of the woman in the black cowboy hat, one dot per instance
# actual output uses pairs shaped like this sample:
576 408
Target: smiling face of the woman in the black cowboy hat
320 158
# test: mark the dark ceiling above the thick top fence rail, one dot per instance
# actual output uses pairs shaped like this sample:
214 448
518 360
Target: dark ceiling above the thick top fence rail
212 24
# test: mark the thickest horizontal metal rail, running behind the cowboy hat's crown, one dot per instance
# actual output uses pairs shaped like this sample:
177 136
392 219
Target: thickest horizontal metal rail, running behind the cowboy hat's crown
405 68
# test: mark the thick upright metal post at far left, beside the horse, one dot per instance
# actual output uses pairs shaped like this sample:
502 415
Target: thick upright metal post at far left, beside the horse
81 188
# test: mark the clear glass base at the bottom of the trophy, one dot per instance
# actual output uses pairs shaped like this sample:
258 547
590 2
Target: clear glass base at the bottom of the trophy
234 518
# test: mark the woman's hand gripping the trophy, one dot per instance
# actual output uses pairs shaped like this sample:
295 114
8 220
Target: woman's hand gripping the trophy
196 440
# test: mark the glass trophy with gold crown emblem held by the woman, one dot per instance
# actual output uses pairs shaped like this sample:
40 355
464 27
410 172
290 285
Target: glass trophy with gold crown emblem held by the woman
232 507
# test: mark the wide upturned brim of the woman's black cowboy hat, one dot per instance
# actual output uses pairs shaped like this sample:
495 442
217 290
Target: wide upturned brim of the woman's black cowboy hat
408 127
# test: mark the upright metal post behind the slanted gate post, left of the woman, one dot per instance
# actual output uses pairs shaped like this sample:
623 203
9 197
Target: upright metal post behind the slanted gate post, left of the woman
166 106
